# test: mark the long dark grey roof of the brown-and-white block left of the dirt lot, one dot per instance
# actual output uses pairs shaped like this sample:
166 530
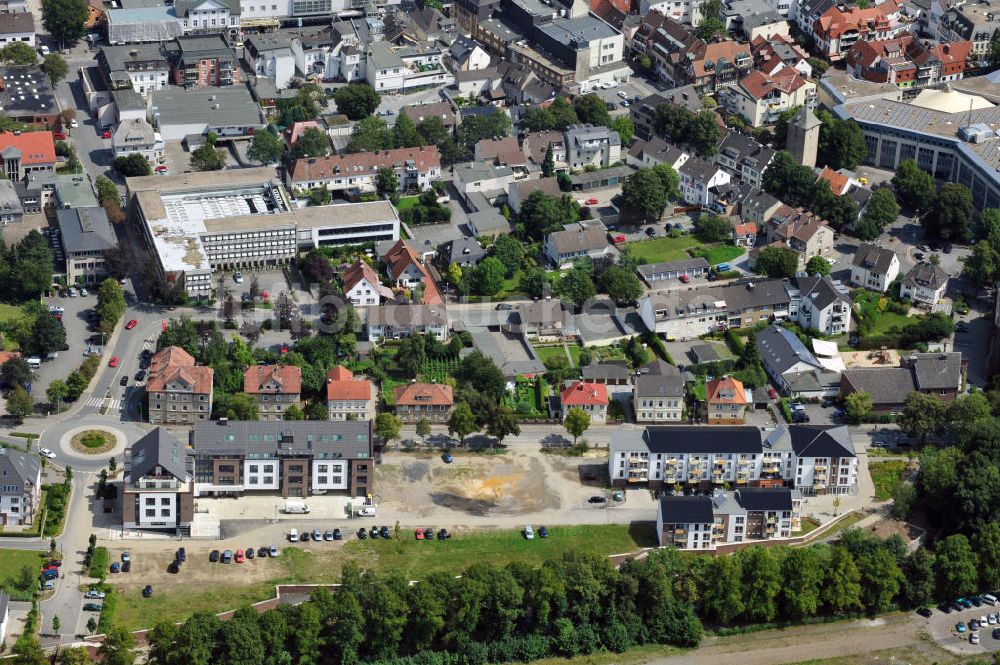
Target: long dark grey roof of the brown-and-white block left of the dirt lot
262 439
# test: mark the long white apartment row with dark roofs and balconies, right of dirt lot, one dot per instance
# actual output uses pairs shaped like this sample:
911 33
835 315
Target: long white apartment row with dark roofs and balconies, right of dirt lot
810 458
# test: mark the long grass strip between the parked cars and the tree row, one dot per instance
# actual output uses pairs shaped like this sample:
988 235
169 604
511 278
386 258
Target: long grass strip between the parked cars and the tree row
414 559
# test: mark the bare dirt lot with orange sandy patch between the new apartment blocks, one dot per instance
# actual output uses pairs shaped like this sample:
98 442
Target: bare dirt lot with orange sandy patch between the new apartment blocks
481 485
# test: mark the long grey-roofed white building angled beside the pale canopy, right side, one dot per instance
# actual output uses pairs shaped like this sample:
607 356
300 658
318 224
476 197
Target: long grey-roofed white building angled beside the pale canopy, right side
793 368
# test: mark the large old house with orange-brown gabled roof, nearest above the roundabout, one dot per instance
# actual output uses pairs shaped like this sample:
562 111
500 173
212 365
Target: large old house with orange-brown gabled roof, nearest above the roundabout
179 393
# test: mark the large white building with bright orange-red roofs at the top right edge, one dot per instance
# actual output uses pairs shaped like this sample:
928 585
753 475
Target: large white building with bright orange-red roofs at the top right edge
839 28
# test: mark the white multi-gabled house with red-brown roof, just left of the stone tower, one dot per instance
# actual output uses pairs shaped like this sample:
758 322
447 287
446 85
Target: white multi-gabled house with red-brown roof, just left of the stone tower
760 98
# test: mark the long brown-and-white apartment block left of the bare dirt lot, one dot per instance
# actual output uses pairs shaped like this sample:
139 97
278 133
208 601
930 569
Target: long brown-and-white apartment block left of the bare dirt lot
294 458
